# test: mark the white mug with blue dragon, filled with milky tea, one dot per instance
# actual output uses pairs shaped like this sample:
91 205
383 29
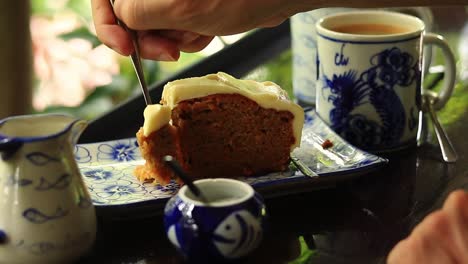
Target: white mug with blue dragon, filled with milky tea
370 71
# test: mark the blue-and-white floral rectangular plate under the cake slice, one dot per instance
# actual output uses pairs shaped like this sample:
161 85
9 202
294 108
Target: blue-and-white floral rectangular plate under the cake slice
107 167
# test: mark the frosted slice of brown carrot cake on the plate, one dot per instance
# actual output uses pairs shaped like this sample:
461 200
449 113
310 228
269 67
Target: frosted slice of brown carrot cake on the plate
219 126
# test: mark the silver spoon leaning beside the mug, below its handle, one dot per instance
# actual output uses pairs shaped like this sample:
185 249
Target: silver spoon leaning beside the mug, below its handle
448 151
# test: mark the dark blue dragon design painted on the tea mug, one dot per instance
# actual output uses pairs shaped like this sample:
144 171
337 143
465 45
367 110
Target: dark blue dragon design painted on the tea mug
376 85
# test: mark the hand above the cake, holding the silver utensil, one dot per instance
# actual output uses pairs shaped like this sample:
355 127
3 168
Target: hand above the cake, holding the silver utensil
167 27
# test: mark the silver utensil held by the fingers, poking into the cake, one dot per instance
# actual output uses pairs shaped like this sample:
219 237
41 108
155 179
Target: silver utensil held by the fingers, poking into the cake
135 56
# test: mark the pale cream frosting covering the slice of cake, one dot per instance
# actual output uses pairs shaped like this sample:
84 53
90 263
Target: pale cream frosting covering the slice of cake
266 94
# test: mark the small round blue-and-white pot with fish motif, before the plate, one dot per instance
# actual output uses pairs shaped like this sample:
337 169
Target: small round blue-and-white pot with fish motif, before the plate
226 225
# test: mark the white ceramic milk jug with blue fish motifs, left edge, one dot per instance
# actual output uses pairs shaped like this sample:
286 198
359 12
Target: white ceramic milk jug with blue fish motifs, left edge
46 213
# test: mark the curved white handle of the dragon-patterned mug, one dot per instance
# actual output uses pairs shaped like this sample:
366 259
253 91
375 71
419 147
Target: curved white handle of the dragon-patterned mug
443 96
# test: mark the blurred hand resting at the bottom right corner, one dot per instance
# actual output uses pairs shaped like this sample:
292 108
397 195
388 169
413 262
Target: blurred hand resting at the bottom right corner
442 236
